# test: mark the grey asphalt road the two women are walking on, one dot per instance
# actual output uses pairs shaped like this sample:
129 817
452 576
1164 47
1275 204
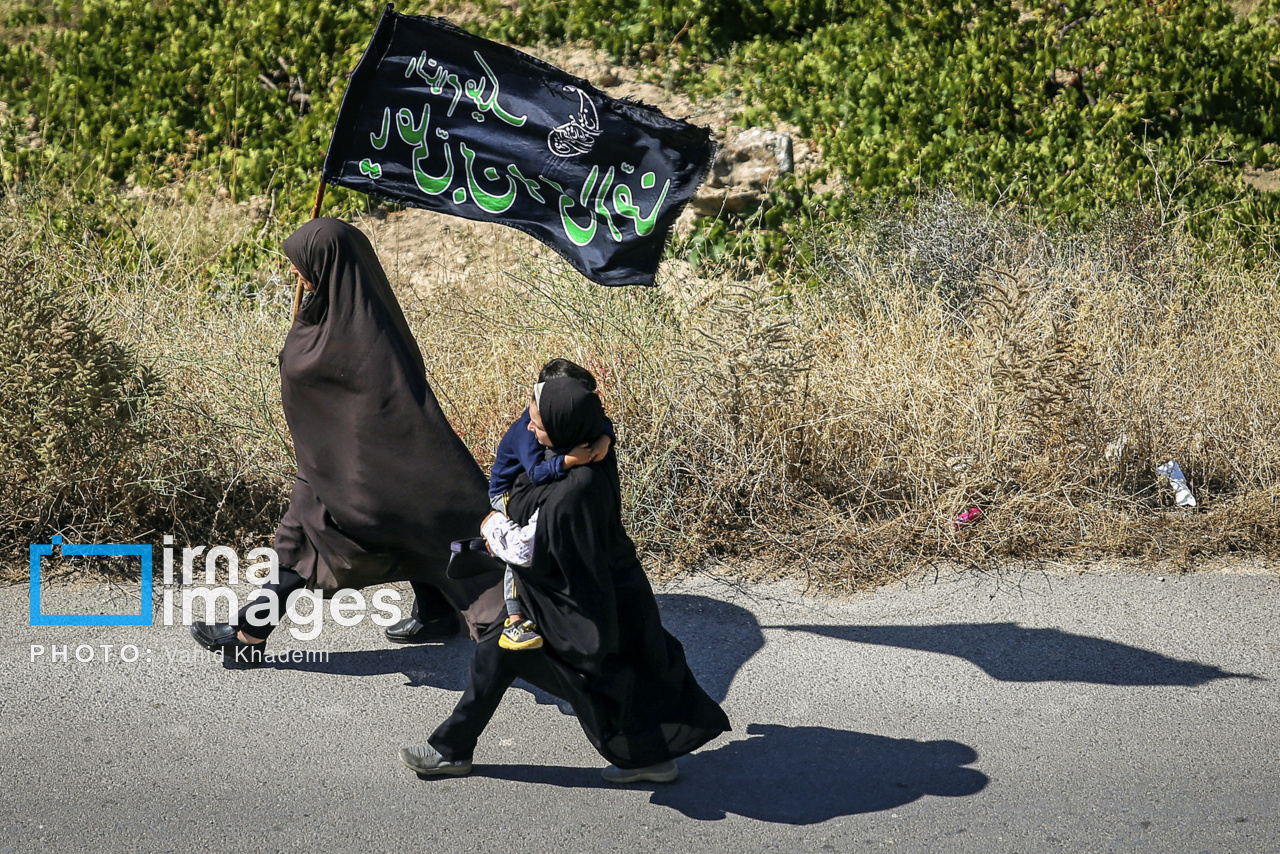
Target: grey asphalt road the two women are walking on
1022 713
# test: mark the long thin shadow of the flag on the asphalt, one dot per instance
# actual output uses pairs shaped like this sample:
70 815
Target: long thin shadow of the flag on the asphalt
1012 654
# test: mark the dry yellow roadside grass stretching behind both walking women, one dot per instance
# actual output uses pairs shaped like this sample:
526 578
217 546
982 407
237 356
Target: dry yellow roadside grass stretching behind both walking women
949 359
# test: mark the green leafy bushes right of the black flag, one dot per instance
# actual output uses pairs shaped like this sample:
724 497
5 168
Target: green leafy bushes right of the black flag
1073 107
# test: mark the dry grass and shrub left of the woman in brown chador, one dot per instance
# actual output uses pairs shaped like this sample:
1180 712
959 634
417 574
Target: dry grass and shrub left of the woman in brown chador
198 445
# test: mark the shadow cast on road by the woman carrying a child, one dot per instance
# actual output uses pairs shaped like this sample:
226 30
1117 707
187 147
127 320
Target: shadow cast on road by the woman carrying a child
788 775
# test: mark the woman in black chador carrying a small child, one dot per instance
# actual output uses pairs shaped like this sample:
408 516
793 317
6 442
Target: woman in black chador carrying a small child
605 649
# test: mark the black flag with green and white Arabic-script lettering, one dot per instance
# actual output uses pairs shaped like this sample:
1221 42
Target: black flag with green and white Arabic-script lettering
442 120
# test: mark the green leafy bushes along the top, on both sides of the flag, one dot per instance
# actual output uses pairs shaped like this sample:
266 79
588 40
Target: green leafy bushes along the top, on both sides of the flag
1072 107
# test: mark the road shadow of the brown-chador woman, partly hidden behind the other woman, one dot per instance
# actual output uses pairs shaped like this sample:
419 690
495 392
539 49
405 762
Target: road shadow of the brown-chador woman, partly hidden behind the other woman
719 640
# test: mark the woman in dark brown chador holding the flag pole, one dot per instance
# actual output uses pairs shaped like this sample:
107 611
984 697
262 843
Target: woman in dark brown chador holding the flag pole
385 485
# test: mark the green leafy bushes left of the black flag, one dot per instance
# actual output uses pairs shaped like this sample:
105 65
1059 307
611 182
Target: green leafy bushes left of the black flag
156 90
